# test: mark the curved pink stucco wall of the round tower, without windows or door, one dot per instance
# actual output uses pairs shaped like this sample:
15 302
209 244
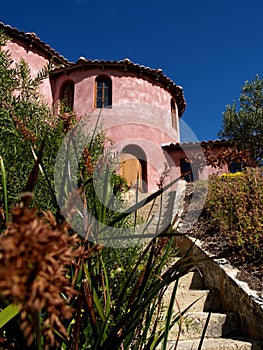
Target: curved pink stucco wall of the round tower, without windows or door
140 113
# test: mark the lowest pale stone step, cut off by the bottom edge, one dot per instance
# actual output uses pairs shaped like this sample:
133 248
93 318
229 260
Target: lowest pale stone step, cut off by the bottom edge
217 344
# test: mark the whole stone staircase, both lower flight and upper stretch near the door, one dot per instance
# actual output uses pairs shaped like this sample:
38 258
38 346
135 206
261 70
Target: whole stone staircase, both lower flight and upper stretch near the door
223 330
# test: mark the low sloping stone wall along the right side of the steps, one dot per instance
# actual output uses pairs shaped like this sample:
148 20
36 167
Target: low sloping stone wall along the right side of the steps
234 295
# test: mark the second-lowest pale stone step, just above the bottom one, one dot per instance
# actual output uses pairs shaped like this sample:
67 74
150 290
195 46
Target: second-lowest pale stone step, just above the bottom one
193 324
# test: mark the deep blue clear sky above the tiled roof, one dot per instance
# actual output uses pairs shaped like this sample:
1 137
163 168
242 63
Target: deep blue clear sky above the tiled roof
210 48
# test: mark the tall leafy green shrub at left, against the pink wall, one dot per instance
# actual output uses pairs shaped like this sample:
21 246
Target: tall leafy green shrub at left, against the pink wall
25 121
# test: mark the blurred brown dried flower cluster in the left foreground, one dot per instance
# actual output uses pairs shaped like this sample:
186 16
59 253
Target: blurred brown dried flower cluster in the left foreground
34 257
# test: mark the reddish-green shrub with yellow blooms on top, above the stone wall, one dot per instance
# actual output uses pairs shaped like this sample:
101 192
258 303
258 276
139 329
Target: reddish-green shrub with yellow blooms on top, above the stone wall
234 207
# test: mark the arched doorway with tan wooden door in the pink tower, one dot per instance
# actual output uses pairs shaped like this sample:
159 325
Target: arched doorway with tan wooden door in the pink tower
134 166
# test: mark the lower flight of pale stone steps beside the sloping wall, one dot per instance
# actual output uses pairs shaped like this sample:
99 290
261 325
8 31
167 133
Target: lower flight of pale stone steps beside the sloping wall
222 332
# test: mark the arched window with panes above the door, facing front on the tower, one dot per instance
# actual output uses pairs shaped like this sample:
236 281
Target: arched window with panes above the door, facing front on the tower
103 92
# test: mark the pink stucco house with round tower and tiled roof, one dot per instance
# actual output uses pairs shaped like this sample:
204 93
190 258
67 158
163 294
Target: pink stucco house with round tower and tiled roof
139 107
